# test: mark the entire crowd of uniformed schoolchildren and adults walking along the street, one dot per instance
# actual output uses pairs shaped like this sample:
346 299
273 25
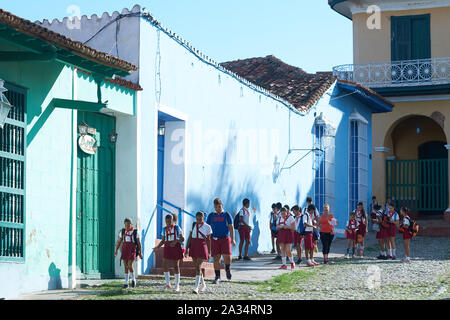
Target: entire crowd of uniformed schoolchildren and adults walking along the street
213 237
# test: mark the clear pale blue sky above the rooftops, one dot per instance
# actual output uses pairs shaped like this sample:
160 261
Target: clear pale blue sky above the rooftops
304 33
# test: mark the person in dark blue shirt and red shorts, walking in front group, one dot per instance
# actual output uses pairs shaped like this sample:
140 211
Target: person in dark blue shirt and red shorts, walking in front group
222 227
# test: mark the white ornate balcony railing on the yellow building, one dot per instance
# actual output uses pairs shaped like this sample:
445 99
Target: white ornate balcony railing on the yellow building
397 73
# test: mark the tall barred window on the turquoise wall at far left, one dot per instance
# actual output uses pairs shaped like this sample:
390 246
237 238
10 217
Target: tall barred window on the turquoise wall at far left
12 178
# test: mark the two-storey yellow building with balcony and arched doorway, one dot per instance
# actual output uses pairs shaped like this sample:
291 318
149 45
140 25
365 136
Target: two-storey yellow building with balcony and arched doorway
402 51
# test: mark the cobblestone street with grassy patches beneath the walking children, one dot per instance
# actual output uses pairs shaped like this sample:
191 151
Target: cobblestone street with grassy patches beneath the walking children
426 277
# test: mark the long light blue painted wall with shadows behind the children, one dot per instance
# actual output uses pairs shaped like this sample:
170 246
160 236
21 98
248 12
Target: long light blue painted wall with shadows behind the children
215 103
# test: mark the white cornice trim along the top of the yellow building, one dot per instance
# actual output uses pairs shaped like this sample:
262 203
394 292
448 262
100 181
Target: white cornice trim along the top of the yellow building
398 5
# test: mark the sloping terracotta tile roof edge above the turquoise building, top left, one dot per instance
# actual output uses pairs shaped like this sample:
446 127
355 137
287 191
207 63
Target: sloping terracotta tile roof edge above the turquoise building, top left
76 47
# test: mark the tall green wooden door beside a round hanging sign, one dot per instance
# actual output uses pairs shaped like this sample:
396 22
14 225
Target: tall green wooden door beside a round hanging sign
95 201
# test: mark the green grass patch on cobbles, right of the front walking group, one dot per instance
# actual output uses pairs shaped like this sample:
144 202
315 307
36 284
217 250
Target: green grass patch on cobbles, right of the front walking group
286 283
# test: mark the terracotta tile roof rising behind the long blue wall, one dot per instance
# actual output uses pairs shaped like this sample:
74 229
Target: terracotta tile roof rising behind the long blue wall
294 85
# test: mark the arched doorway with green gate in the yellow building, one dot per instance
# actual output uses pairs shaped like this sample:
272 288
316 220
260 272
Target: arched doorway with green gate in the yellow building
417 174
